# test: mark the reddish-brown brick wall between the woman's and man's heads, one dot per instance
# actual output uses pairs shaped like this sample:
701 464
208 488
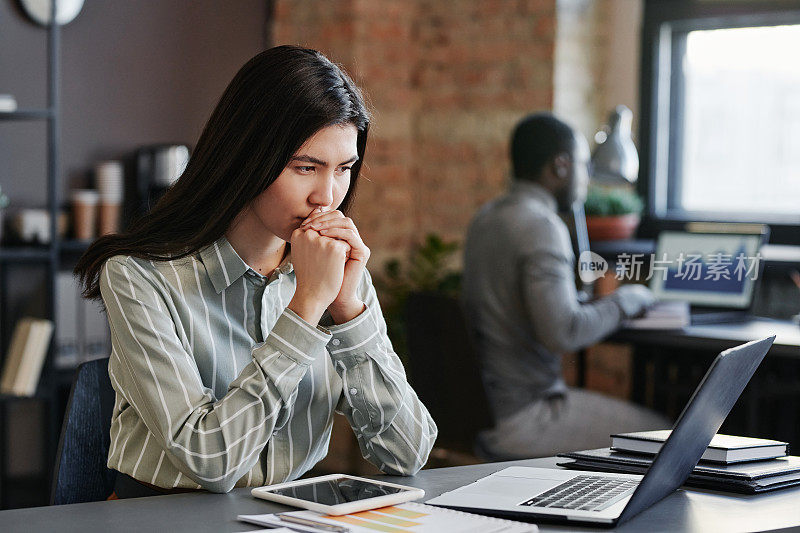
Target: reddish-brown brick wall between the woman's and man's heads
446 81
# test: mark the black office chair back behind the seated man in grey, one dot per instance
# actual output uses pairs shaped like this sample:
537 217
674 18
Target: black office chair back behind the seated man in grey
443 369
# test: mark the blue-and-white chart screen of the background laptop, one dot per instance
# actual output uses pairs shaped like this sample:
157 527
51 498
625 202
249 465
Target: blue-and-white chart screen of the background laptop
706 269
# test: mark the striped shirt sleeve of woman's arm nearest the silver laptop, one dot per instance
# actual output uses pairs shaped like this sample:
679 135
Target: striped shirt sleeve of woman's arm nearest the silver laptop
394 429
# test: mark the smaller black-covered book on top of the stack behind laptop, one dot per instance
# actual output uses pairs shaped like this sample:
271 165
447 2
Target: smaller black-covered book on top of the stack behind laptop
723 448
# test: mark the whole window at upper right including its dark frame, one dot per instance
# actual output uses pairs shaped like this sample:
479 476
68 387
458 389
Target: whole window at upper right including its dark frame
720 122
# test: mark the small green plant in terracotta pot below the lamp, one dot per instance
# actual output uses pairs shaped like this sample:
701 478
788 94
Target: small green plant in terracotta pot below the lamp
612 213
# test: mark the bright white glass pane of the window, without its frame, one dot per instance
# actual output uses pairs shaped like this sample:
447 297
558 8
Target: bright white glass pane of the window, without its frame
741 122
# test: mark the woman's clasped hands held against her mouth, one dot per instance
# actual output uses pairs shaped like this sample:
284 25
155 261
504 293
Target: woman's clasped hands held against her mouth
329 258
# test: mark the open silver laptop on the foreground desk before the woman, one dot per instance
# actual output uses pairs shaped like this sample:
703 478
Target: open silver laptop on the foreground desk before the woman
575 496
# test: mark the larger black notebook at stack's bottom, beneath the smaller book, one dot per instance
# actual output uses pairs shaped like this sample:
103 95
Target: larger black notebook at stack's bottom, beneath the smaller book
749 478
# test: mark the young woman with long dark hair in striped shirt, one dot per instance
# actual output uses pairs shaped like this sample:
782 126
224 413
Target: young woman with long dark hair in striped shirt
241 312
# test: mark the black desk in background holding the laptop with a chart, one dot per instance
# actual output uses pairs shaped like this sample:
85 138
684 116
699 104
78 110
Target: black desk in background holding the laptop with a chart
669 364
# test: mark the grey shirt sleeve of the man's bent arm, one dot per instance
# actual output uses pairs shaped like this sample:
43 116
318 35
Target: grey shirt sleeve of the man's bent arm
561 322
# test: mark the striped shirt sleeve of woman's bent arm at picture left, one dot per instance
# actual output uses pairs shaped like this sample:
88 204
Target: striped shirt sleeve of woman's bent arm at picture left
214 442
